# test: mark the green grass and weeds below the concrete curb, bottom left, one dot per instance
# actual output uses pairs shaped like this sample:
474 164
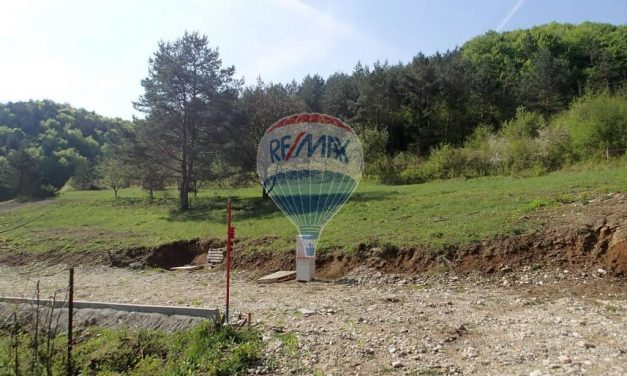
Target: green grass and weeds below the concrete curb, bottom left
204 350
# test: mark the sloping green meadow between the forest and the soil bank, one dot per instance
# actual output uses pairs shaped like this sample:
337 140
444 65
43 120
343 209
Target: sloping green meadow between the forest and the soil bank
433 214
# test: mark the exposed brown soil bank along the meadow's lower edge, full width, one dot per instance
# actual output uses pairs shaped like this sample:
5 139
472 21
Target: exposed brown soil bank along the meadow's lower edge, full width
574 236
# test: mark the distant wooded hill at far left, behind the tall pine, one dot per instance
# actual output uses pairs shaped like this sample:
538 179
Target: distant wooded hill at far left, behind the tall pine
43 144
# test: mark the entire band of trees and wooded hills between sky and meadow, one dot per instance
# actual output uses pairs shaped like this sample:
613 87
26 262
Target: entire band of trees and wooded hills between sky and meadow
534 99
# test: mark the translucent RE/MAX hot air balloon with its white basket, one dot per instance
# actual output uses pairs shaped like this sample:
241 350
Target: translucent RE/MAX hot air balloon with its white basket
309 164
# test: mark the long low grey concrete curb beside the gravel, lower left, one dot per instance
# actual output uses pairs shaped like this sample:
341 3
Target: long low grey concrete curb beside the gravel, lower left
208 313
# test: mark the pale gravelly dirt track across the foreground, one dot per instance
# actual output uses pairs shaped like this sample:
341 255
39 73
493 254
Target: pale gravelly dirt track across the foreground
524 322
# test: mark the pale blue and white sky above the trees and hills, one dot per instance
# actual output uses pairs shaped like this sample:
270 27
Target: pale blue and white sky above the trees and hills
94 53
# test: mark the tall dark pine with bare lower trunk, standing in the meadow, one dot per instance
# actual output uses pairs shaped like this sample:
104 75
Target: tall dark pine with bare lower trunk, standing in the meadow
188 100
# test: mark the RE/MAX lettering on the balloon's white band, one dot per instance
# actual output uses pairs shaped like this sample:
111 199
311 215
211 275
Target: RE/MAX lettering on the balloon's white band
326 146
